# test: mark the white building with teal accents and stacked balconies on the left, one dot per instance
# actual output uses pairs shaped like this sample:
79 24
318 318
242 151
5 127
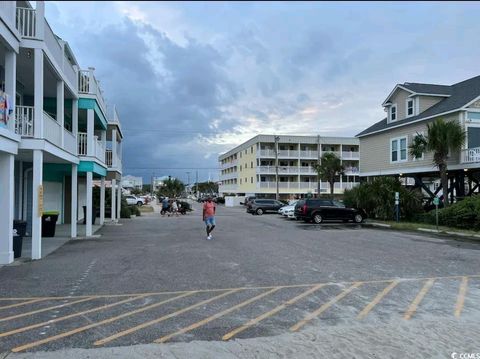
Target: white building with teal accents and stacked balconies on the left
56 133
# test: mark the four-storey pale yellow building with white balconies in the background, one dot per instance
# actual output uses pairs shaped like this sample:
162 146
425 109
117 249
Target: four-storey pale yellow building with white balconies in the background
250 168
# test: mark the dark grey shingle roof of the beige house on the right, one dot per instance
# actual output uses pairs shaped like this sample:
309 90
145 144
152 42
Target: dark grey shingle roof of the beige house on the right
460 94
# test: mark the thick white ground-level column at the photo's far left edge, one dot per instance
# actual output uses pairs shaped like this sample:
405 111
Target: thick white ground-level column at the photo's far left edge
7 204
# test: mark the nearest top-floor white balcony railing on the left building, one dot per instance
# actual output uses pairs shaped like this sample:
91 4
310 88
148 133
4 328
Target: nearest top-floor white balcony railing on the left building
27 24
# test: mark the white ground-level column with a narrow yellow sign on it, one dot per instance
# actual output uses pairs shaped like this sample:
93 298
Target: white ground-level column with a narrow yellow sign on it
36 210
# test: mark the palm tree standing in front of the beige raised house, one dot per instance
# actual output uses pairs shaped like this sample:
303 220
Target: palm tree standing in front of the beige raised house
442 138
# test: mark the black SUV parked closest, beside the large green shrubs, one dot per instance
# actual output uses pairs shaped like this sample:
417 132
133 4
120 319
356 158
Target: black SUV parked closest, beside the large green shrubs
317 210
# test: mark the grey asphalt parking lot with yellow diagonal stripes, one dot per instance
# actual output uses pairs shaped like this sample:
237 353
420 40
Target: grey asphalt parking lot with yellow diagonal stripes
157 280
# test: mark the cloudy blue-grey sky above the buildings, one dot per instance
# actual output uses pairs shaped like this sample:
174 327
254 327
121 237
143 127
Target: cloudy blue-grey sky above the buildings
192 80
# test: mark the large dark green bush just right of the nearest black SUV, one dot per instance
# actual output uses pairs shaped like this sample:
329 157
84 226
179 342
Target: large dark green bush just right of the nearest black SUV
377 199
